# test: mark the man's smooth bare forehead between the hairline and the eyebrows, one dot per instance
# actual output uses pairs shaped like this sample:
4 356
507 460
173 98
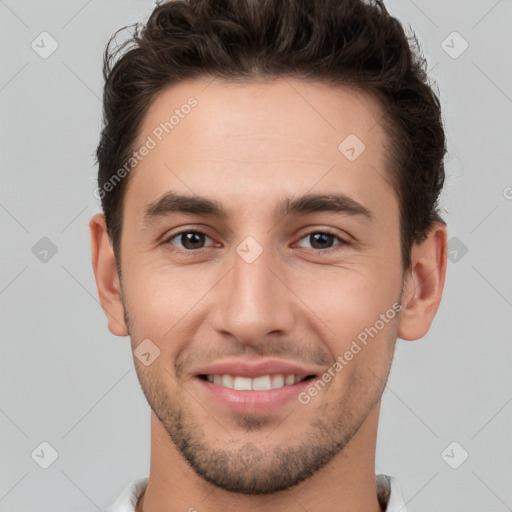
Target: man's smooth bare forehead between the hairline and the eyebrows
265 136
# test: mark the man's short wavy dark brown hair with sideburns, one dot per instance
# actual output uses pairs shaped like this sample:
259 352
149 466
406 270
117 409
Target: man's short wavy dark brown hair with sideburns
338 42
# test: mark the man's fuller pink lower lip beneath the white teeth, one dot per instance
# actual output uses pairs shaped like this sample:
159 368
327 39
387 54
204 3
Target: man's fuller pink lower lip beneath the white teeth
255 402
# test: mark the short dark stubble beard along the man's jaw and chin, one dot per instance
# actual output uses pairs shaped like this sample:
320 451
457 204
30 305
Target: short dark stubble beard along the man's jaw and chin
250 469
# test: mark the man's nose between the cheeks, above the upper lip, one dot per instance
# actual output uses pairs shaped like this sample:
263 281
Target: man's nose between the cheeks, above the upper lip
255 300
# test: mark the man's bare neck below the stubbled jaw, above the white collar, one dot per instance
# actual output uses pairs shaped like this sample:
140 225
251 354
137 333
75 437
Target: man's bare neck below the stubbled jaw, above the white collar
346 483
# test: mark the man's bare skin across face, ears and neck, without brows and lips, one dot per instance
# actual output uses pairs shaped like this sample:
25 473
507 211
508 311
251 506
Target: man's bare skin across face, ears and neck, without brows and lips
248 146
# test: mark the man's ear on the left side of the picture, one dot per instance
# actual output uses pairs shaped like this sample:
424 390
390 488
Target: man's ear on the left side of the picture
107 279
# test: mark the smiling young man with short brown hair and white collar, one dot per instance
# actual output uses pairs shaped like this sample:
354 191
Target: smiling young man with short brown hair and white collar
269 174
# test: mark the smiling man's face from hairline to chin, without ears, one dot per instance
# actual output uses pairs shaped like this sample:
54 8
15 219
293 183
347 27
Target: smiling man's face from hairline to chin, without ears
257 255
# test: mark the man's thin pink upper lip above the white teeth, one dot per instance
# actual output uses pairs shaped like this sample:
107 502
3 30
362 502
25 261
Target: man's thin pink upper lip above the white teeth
254 368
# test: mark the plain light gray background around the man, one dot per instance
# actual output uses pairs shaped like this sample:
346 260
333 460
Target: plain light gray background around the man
67 381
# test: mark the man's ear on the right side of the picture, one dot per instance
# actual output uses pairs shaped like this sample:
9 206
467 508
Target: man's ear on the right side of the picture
424 283
